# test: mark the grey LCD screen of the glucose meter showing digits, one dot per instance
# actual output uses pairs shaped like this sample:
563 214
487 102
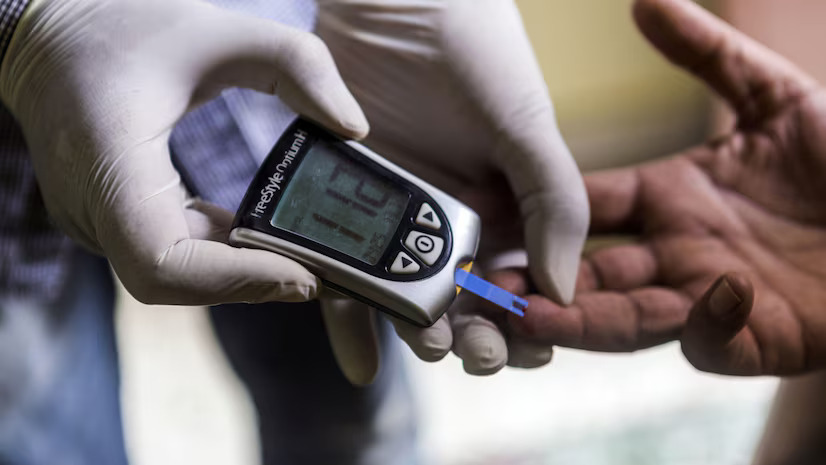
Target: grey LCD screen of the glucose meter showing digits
336 202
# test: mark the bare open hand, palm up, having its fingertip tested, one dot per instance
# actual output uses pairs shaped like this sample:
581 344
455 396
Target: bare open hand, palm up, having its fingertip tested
729 254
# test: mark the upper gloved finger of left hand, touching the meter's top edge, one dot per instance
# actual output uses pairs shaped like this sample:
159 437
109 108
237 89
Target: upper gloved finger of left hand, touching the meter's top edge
291 63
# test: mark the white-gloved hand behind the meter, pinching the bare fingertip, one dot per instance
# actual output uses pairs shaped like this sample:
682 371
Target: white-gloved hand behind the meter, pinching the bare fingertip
454 94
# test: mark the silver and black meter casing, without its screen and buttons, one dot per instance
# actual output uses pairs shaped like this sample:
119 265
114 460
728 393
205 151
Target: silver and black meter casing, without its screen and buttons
419 298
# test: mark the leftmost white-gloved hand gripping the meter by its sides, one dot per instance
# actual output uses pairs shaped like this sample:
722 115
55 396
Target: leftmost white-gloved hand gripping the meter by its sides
97 86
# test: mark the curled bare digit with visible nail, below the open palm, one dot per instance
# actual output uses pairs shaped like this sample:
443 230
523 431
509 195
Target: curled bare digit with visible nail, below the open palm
713 339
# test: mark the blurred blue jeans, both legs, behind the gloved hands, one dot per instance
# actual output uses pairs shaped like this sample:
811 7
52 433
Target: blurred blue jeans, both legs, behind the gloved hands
60 383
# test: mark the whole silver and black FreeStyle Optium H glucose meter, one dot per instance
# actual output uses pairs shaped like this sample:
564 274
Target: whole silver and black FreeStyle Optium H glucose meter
366 227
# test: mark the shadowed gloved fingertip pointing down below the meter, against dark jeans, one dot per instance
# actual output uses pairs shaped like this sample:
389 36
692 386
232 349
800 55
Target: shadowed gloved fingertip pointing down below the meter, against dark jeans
351 328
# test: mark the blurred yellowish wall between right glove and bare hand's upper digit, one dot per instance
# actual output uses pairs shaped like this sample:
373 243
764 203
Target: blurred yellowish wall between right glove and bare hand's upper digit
617 100
